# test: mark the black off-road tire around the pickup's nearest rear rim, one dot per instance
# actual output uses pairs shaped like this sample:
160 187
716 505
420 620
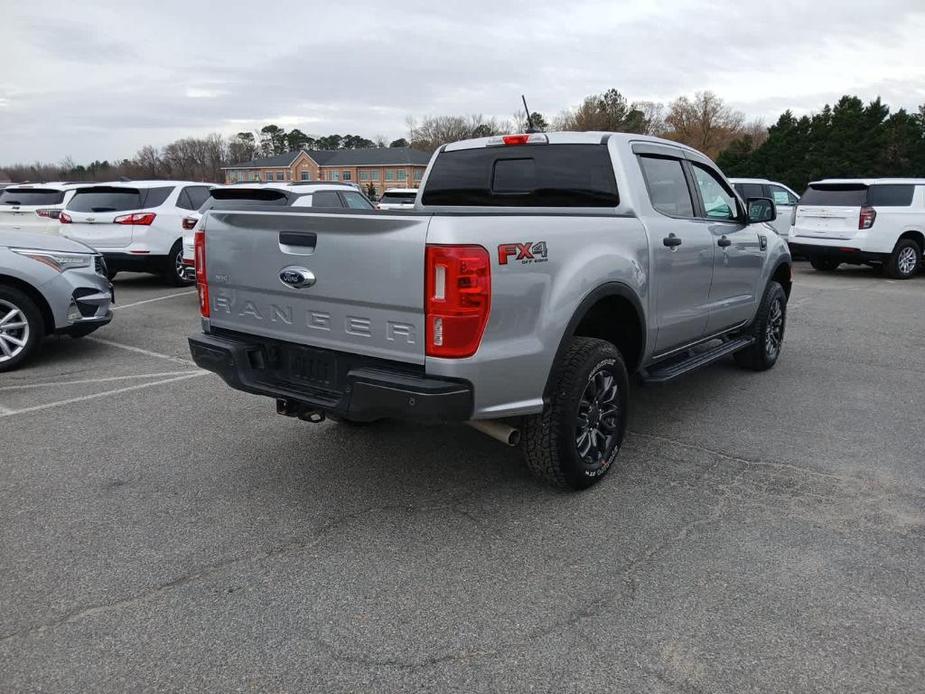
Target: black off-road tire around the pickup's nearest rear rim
548 439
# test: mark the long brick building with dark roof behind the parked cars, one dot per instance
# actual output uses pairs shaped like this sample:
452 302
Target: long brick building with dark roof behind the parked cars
383 167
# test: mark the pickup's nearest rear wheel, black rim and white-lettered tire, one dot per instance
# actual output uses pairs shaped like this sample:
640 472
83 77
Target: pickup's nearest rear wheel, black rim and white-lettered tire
574 441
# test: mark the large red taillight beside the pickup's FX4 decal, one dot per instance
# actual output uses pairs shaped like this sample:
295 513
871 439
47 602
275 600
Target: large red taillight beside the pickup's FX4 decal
457 299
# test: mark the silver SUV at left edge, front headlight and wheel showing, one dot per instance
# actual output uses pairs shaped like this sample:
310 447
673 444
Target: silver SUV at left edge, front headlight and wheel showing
48 285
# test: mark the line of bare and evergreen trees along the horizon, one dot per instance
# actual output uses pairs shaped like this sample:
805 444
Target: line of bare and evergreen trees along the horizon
849 139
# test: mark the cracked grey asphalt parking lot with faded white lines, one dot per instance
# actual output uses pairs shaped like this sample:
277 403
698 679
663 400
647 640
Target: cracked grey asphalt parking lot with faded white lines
159 531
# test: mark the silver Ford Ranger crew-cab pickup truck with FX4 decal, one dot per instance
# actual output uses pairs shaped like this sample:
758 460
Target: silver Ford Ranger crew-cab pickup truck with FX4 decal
535 274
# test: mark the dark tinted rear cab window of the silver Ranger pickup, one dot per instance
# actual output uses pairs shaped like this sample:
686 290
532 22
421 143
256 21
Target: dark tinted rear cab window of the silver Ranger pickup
540 175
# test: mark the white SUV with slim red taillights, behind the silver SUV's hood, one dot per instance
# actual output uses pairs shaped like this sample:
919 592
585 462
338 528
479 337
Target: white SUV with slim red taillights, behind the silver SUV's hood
136 225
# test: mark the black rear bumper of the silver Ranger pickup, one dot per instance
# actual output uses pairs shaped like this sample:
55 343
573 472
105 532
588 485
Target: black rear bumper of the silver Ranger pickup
363 389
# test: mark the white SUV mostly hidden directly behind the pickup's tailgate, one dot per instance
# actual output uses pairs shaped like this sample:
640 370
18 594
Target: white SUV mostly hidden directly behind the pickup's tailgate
328 194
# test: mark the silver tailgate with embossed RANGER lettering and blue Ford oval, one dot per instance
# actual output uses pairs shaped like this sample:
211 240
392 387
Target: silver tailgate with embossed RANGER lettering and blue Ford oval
368 292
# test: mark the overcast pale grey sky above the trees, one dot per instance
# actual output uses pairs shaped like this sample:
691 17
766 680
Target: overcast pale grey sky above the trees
95 80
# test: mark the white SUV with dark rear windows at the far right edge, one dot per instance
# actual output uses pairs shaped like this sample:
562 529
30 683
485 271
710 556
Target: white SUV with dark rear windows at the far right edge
878 221
